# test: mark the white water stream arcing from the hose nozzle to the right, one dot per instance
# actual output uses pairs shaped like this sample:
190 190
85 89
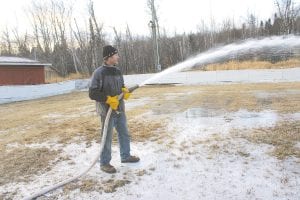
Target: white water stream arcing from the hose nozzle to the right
273 44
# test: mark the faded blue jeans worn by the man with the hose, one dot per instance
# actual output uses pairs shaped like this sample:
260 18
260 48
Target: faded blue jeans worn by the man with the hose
119 122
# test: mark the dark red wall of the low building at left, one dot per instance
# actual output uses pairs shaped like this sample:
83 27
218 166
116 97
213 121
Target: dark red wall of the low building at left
22 75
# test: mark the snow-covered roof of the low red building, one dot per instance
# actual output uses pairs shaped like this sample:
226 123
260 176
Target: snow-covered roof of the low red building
17 61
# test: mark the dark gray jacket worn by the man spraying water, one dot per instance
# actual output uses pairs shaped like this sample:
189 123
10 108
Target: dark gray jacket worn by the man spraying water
106 81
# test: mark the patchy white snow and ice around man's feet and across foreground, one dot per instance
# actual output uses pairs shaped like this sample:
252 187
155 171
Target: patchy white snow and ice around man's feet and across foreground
181 166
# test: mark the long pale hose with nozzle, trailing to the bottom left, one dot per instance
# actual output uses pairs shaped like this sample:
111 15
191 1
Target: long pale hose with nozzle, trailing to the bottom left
104 132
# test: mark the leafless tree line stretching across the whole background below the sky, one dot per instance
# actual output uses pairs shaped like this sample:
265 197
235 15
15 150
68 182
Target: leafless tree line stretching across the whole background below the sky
57 38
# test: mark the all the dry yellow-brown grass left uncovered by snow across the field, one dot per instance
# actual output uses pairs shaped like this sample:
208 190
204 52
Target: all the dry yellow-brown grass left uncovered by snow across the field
71 118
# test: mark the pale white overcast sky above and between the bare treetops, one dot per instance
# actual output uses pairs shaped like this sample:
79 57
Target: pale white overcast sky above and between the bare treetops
174 15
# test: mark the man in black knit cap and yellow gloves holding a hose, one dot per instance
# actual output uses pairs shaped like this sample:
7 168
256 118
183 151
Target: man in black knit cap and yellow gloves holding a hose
106 84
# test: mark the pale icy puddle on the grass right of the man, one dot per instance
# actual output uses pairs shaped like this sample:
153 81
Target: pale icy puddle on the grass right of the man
203 121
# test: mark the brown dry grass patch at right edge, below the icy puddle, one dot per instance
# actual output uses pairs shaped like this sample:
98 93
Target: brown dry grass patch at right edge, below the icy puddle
284 136
